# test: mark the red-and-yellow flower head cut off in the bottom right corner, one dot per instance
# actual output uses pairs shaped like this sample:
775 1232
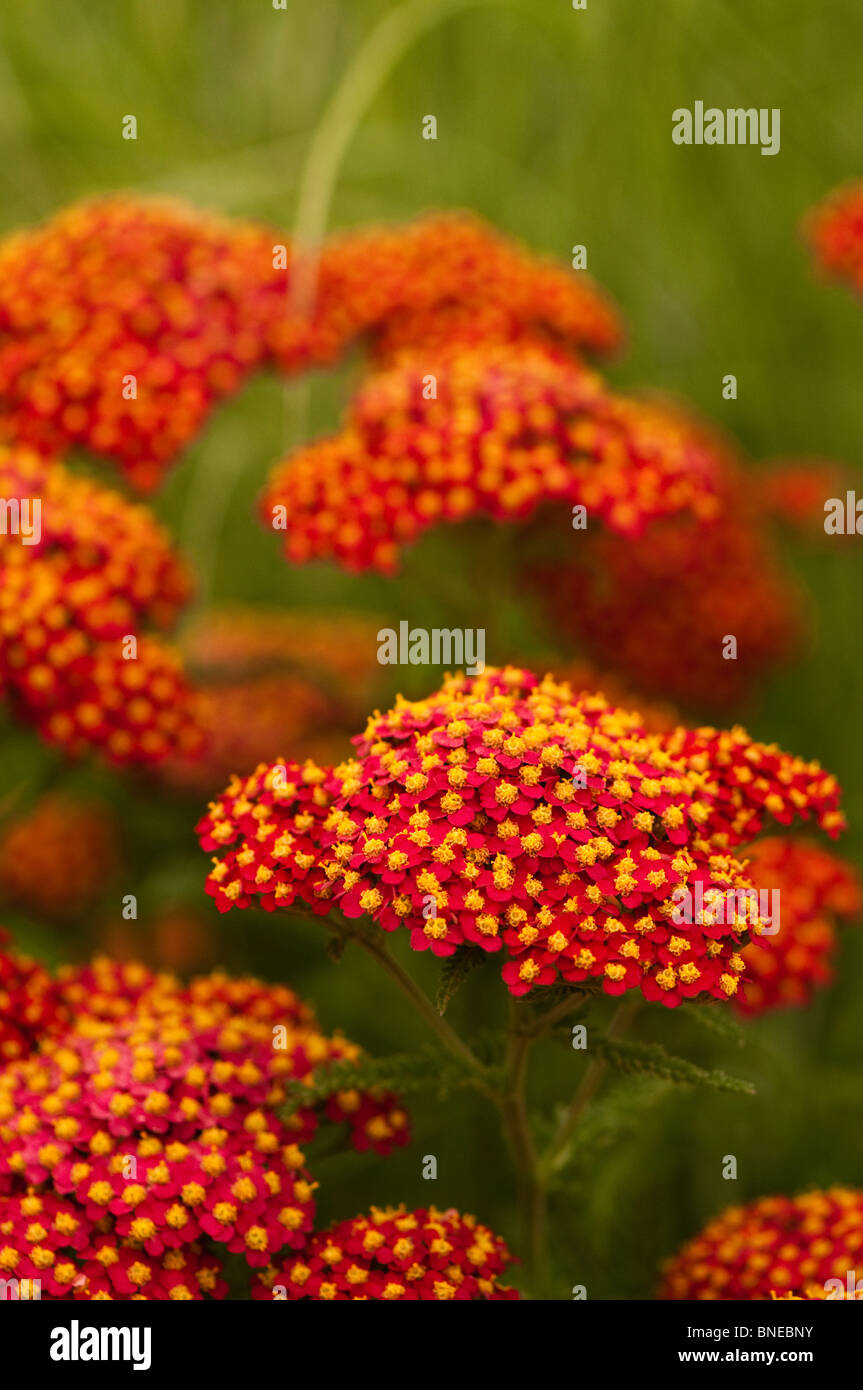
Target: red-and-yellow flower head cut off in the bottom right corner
775 1248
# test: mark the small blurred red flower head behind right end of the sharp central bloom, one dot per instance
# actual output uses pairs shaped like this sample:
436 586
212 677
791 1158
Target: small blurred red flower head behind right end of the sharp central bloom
815 890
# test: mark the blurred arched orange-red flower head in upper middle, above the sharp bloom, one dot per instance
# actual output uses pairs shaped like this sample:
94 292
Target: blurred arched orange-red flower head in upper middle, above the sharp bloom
511 427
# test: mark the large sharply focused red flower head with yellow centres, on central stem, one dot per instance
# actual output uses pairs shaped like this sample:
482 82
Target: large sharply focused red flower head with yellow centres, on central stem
522 818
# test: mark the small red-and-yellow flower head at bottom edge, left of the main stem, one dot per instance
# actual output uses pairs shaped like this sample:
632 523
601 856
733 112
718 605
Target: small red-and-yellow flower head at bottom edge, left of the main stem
398 1256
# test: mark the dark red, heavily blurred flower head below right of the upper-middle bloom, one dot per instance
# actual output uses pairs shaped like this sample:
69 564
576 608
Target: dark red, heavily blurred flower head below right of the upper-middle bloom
659 610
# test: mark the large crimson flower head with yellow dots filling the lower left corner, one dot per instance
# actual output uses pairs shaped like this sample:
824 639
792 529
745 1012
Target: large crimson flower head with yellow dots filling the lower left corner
149 1128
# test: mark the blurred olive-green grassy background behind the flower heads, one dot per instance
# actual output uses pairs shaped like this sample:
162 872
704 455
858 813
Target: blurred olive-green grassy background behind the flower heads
555 126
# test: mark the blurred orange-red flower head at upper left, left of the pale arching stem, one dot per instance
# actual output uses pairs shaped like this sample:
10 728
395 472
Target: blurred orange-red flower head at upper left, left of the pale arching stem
129 288
